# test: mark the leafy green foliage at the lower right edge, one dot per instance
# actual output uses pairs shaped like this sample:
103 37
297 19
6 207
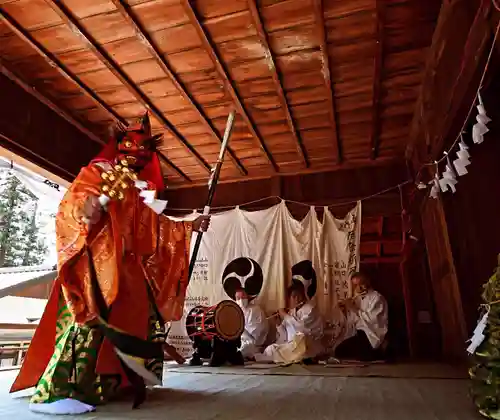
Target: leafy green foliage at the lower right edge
485 373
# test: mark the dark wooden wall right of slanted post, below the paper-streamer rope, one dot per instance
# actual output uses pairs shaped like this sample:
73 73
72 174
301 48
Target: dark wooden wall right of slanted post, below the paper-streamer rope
472 212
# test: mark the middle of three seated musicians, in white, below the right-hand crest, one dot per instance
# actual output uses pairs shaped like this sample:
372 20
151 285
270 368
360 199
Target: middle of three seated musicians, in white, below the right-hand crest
299 331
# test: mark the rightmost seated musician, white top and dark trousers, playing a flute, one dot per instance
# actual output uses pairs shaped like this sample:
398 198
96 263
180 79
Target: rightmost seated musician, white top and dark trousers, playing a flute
366 317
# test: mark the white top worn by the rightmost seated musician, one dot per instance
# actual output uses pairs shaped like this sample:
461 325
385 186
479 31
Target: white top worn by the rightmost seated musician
371 317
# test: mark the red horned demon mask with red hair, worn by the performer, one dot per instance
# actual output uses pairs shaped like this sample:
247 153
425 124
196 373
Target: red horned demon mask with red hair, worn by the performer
136 145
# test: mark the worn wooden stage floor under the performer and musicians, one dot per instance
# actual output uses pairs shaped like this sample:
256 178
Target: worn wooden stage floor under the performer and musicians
197 396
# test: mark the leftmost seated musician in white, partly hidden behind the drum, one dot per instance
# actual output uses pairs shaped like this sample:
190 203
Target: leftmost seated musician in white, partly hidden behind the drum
256 325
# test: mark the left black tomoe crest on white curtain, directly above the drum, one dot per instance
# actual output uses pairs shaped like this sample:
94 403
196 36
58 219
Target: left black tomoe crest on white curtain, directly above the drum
245 273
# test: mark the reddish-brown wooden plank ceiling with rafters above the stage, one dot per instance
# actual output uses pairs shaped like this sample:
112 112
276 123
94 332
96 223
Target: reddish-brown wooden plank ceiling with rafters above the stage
317 85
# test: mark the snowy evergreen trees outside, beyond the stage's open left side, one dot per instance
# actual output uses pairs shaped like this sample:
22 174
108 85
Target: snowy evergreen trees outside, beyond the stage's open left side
21 242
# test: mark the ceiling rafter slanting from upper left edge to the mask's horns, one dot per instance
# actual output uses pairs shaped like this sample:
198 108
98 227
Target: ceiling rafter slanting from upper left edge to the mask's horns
58 65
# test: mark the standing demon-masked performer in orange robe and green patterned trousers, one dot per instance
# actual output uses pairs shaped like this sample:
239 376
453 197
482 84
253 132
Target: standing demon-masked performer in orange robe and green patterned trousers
122 274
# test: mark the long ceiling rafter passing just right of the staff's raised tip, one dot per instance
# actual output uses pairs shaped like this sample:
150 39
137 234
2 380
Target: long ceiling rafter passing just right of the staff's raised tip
228 85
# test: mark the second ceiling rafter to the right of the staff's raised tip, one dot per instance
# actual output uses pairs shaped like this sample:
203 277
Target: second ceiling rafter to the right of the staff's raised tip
254 12
